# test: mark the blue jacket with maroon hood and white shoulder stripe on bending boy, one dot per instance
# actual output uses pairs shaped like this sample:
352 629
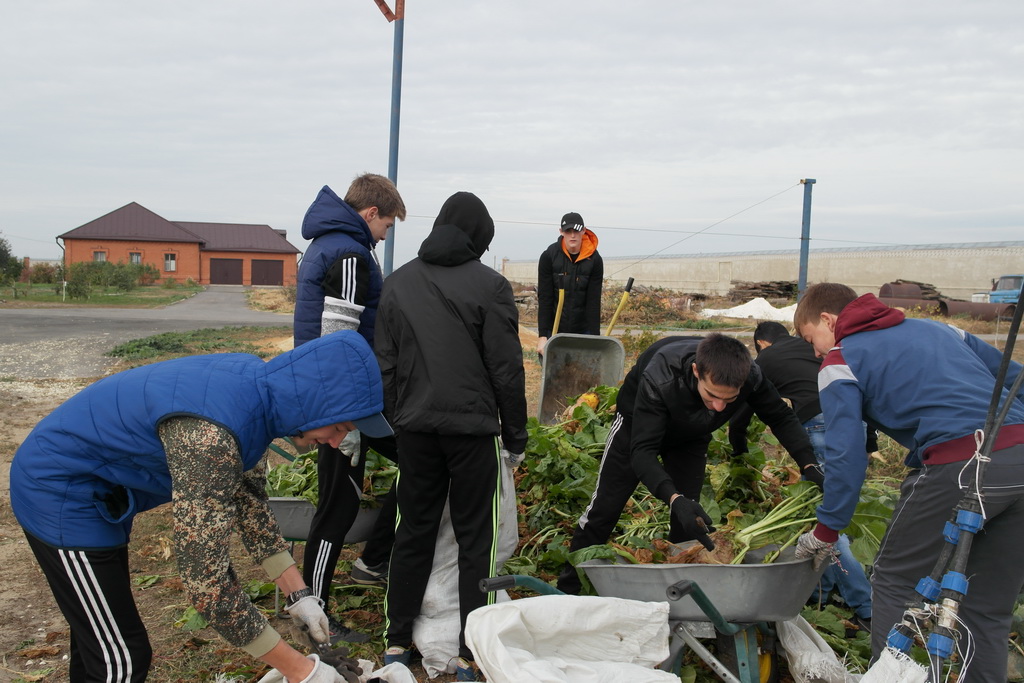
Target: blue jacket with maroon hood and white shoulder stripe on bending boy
926 385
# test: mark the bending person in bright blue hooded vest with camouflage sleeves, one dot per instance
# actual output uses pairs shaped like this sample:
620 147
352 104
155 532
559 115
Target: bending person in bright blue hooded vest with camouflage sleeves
191 431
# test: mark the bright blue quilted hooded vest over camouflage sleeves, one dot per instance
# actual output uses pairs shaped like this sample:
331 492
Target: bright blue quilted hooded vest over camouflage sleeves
106 436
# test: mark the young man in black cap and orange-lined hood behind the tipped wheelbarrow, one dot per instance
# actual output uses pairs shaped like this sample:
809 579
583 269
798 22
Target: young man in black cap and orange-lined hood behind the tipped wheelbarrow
572 265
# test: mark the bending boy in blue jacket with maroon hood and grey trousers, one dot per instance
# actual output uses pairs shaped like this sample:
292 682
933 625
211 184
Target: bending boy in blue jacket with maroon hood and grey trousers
928 387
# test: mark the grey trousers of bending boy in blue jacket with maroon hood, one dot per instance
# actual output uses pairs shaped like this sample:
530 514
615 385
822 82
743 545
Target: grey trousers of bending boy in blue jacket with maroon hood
996 567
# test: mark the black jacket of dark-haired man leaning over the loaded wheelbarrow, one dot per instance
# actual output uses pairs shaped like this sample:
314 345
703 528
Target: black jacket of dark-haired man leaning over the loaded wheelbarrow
661 397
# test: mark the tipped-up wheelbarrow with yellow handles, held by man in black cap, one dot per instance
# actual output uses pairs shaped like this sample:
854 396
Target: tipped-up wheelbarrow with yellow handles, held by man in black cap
573 364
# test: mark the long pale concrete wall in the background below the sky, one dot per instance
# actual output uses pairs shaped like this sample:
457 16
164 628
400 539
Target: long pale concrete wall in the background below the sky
956 271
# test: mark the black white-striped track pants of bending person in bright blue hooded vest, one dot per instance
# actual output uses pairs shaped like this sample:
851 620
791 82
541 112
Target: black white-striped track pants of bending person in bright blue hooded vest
94 591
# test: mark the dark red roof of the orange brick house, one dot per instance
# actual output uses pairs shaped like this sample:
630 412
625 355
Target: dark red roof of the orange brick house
137 224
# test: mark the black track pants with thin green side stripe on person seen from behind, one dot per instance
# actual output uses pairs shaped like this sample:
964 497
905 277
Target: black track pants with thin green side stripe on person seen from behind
431 465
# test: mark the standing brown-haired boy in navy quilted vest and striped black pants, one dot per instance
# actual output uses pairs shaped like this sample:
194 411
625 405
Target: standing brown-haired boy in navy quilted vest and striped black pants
339 285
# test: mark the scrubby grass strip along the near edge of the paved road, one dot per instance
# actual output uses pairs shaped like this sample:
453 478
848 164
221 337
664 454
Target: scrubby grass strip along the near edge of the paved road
199 343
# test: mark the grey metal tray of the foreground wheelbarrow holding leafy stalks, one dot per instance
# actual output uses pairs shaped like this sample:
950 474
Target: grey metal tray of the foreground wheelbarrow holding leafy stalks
742 593
